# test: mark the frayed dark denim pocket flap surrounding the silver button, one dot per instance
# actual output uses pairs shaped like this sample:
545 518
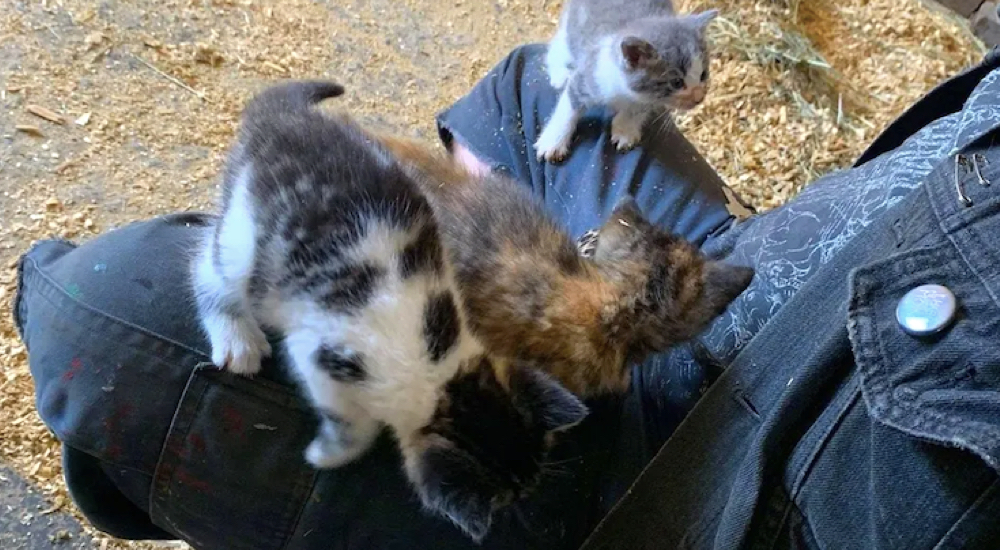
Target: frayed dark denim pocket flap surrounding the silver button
942 388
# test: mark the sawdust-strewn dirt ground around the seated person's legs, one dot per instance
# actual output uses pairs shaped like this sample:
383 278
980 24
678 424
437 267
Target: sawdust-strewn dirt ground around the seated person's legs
115 111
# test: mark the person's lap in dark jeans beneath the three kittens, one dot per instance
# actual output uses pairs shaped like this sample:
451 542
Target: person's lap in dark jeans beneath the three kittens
131 340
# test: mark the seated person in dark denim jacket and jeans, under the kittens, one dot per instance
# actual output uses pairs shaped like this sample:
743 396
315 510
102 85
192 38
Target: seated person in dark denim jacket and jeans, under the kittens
826 429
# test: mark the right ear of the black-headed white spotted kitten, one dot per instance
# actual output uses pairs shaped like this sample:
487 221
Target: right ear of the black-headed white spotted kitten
550 404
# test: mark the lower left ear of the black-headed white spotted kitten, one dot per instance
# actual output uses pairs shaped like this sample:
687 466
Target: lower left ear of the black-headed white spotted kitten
455 485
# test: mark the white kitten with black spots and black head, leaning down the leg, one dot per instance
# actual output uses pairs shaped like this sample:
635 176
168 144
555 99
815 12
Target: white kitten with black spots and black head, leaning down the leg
325 239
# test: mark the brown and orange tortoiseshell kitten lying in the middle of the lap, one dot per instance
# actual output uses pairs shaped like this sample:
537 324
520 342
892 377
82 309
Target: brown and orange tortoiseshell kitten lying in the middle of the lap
531 295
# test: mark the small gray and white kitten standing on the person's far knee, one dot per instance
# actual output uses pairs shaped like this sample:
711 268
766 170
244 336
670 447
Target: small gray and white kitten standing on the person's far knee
636 56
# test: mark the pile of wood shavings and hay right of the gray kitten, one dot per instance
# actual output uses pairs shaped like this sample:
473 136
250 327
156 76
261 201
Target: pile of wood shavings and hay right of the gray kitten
800 87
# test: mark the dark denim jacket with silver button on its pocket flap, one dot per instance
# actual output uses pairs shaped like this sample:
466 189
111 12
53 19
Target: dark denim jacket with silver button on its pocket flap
833 428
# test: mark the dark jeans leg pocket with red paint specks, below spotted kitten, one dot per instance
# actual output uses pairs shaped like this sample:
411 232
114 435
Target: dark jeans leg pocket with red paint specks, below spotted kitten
231 473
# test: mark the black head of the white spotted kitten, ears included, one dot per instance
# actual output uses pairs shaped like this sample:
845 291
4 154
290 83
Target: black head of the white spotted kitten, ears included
497 442
